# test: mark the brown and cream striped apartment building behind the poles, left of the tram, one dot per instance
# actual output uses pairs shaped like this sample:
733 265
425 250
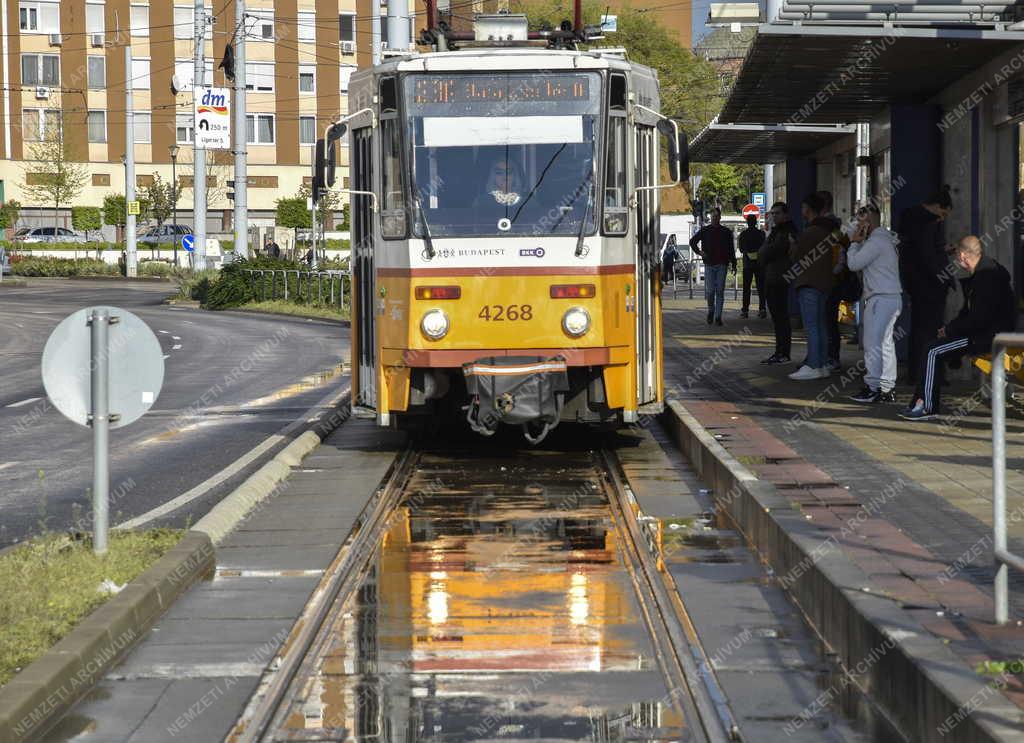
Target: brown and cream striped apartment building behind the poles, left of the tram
64 66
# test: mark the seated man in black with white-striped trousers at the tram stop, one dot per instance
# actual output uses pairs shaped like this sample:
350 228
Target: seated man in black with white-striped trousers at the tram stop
991 308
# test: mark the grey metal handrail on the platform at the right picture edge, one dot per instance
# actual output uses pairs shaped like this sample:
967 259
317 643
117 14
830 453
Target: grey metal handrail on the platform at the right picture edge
1003 557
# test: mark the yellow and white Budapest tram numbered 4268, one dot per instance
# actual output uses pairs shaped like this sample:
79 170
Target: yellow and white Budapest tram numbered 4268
505 227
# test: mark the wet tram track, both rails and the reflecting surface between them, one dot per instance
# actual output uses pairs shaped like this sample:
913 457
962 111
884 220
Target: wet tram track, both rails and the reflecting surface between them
485 597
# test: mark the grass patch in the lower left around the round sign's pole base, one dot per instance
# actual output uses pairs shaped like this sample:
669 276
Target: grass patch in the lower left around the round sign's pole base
53 583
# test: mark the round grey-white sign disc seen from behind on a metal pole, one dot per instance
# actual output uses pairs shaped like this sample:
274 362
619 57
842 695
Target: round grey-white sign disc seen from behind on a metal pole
136 360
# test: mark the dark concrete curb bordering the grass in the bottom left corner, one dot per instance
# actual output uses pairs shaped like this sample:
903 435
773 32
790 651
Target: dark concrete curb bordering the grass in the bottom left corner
50 687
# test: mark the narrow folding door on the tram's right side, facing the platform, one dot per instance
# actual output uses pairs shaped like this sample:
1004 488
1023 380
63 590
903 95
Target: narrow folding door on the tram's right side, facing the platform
648 234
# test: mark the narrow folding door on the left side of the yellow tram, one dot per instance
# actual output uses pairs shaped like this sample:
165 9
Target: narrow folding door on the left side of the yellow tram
364 273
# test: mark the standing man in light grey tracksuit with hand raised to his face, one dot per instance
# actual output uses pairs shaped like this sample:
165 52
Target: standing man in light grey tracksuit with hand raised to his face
873 251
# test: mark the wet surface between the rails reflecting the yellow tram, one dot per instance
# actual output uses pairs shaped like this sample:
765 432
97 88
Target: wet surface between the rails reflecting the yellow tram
497 607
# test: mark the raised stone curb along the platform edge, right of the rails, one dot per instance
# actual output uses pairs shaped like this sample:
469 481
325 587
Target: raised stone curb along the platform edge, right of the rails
919 683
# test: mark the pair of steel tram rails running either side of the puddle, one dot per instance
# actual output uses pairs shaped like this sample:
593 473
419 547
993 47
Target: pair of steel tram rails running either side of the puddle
680 657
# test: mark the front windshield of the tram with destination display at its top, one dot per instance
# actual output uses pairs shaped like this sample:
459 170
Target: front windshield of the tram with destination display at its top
504 154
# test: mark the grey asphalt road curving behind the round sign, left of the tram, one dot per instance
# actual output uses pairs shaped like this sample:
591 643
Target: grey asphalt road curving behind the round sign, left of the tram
231 382
